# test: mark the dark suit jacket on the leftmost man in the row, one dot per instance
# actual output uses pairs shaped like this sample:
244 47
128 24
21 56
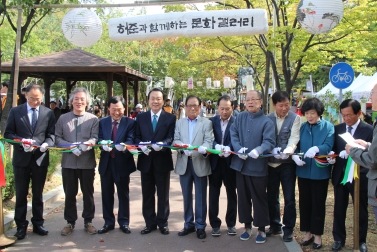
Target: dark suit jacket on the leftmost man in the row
18 127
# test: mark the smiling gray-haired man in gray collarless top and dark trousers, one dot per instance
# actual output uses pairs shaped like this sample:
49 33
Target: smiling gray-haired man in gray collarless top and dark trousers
78 129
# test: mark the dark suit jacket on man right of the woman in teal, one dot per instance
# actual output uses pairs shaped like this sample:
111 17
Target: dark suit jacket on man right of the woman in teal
363 131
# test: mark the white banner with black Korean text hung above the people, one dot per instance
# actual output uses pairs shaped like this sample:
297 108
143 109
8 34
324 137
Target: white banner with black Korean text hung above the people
189 24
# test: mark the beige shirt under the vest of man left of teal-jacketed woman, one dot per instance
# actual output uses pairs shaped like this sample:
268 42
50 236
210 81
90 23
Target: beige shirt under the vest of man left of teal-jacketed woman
293 139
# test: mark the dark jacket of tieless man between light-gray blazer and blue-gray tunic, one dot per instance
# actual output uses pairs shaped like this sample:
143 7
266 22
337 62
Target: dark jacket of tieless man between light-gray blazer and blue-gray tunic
217 140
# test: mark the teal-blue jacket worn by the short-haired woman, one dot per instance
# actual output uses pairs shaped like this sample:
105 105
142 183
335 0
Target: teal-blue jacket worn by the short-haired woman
321 135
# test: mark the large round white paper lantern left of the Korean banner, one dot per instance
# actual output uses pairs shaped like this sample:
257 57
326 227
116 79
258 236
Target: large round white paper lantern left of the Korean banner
82 27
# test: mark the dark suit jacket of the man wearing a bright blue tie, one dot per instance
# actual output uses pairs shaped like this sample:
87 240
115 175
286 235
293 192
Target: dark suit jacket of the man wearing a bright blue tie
161 160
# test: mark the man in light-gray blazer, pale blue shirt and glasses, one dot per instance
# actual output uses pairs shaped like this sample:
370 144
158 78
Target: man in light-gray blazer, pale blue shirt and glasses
193 166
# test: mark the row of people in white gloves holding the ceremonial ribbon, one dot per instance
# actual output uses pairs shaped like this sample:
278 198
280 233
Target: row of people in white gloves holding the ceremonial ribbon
251 181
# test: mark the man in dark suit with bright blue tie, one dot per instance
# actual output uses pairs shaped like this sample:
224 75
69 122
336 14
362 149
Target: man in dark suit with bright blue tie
155 126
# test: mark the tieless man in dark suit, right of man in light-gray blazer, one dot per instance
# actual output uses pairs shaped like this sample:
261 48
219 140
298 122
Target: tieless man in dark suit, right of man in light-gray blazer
221 171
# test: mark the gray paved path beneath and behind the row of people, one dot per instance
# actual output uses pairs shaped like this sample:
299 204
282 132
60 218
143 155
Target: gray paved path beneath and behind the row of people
117 241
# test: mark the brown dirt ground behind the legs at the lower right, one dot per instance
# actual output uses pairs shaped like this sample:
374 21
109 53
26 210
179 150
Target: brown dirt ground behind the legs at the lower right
327 238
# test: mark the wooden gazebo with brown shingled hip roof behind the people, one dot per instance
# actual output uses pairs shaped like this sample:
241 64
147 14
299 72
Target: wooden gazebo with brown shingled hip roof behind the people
77 65
